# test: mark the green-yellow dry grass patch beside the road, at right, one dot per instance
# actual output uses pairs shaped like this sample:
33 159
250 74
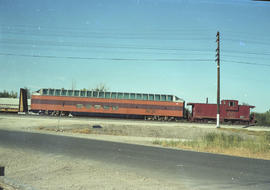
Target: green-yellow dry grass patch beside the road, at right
229 144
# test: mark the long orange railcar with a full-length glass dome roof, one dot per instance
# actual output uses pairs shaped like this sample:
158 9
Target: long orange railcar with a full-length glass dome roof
110 104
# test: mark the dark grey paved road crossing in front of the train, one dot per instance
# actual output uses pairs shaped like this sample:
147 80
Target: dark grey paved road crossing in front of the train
196 170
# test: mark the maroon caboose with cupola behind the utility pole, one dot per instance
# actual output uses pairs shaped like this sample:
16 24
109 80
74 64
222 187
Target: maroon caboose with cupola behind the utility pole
230 111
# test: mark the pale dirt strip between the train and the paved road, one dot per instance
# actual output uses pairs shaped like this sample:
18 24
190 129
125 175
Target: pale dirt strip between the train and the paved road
119 130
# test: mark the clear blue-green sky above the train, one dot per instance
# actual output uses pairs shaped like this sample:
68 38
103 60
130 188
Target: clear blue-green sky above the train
144 46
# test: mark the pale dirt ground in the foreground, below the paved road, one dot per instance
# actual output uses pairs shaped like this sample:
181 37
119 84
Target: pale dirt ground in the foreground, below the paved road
28 169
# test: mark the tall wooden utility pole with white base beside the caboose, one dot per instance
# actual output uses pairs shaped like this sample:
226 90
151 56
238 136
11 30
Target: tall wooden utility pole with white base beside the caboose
218 78
